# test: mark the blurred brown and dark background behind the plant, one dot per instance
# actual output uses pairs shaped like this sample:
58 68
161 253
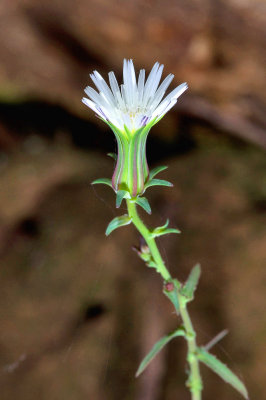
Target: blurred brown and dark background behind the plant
78 311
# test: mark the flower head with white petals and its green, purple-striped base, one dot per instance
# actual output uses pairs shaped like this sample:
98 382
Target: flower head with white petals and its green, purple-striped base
130 111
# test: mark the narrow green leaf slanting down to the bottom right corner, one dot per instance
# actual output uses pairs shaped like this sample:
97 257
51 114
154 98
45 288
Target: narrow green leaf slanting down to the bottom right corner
222 370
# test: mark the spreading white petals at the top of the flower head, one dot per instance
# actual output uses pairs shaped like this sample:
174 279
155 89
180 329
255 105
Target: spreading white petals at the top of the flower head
135 104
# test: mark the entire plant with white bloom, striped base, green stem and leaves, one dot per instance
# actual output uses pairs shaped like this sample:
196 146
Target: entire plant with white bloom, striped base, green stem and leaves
131 110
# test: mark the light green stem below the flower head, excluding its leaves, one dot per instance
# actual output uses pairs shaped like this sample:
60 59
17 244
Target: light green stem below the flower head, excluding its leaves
194 381
